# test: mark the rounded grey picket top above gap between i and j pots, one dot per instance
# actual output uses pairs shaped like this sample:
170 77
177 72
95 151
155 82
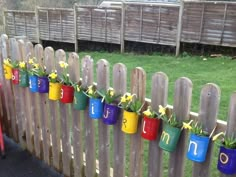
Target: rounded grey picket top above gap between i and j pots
102 74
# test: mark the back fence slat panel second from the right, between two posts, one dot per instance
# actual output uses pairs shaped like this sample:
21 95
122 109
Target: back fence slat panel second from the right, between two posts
150 23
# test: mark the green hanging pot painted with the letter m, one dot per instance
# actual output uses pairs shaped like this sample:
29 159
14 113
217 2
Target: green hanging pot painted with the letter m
169 137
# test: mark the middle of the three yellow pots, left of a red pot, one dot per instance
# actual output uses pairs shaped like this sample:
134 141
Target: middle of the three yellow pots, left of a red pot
54 91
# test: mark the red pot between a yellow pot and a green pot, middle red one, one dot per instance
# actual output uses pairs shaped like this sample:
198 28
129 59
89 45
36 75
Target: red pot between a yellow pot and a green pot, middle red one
67 94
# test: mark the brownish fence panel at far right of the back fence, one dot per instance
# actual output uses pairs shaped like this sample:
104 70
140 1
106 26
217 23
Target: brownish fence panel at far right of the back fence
209 23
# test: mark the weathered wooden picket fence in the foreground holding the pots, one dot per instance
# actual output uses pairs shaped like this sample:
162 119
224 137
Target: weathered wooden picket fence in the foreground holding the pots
76 145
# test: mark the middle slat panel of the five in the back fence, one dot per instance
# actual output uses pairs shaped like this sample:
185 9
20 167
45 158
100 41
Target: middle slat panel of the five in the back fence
98 24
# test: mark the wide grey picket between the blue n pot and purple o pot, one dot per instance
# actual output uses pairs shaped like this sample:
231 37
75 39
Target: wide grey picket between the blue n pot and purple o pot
209 104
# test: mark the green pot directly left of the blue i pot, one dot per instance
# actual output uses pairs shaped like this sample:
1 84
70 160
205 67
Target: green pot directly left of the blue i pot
80 100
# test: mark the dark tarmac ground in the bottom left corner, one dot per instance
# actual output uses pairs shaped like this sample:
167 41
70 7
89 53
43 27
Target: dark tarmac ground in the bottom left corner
19 163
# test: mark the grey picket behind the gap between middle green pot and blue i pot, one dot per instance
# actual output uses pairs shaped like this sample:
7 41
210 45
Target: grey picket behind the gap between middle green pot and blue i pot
89 149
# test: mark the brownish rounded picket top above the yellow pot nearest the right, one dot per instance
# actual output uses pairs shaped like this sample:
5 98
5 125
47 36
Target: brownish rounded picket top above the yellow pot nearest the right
138 81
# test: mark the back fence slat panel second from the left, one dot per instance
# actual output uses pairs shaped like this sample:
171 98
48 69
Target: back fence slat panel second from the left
56 24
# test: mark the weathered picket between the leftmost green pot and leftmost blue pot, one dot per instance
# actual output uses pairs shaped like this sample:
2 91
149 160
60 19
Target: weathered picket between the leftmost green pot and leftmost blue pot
28 104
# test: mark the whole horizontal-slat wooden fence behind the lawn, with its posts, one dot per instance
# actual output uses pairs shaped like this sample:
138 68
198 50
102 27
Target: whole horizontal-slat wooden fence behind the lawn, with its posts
210 23
